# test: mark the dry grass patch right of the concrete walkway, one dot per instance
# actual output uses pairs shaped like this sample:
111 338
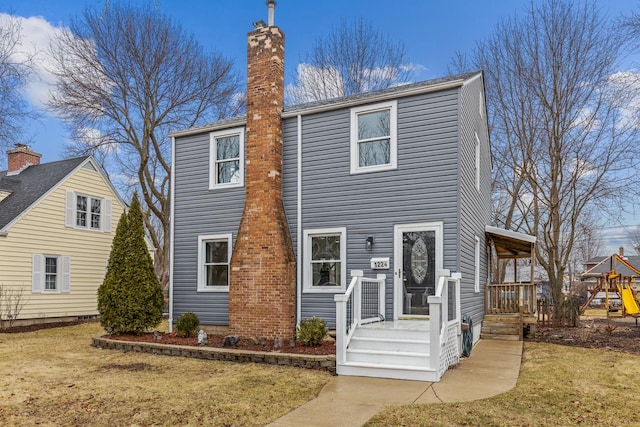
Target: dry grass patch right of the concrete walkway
558 386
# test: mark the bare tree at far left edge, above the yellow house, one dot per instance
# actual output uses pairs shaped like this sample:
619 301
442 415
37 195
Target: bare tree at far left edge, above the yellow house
15 69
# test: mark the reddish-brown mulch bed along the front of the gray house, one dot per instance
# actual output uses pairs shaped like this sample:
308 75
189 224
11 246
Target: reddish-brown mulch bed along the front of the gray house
327 347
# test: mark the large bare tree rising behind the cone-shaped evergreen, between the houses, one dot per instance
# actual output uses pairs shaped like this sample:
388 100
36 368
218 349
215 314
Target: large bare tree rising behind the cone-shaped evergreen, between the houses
128 75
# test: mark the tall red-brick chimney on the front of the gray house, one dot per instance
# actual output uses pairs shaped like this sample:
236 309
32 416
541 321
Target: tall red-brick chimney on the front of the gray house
262 294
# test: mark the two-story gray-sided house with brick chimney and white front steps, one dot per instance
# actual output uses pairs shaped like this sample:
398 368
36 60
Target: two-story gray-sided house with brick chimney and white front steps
369 211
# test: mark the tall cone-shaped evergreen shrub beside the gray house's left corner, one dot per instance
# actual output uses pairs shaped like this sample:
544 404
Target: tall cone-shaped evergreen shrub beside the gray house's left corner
130 299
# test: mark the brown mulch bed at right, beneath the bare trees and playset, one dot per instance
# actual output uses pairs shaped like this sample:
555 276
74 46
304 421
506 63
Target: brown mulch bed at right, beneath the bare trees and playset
621 335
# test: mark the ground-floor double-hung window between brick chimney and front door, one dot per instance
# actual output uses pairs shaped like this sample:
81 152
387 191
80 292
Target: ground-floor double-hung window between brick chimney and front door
325 264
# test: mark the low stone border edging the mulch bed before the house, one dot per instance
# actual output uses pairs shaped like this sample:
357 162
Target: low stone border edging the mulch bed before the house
321 363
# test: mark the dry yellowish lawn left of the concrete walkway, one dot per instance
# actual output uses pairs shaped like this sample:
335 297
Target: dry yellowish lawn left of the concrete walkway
54 377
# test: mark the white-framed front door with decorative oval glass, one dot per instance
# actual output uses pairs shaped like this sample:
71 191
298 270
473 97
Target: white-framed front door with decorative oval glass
418 252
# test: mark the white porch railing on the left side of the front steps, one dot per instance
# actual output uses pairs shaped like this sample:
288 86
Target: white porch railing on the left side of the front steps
363 302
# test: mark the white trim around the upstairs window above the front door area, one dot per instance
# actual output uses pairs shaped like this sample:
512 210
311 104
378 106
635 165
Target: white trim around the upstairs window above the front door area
392 106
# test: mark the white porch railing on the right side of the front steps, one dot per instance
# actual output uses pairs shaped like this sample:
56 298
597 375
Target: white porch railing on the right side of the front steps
445 321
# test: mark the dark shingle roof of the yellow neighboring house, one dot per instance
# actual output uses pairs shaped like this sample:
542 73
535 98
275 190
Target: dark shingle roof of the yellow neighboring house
31 184
